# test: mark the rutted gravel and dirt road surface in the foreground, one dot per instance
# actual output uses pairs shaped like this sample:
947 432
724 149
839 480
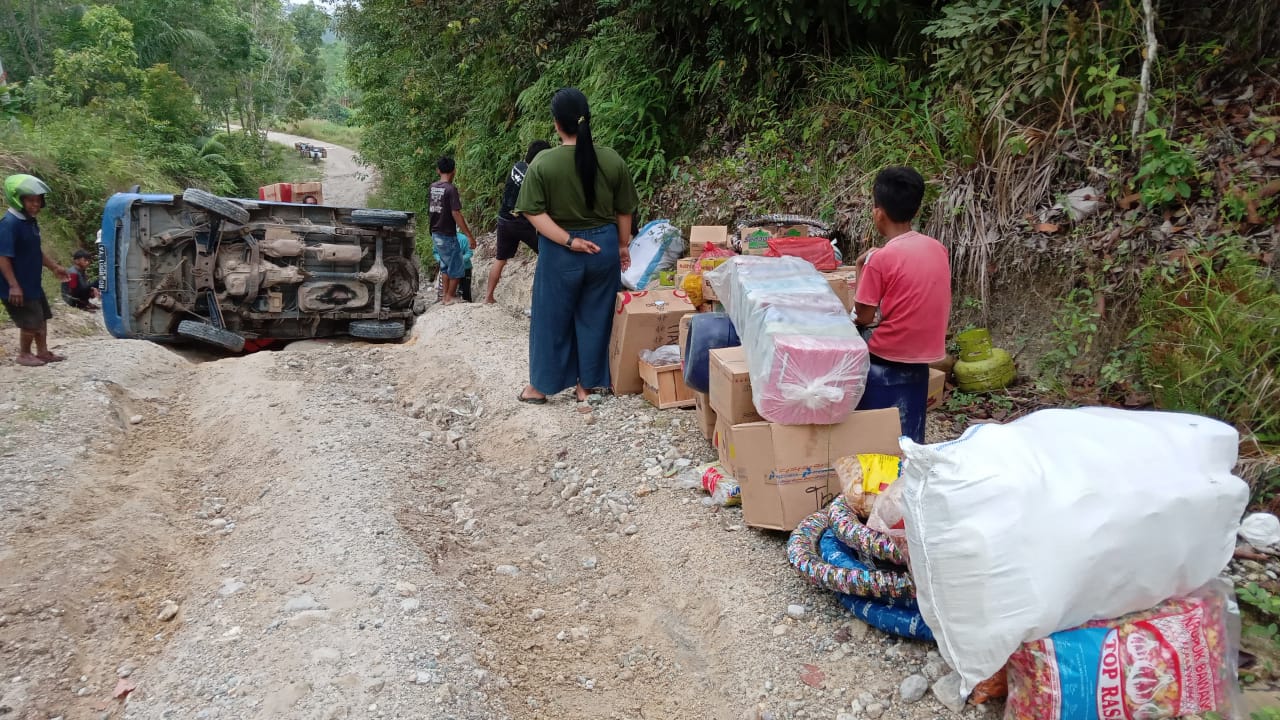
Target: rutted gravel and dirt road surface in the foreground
344 530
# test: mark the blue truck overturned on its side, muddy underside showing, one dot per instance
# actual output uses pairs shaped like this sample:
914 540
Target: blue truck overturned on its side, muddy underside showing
223 272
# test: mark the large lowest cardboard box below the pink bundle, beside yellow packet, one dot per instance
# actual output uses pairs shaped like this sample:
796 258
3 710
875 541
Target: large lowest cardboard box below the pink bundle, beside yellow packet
788 472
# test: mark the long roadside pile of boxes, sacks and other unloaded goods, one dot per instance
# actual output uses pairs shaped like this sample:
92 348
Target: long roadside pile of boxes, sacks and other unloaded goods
1068 560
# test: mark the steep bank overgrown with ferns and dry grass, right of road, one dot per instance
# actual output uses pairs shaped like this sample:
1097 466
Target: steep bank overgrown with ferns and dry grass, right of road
740 107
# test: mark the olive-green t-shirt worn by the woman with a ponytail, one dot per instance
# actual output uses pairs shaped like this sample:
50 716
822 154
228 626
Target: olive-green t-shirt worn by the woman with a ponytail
552 188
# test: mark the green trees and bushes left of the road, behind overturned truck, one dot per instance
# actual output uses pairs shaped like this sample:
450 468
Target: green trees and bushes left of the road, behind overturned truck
111 95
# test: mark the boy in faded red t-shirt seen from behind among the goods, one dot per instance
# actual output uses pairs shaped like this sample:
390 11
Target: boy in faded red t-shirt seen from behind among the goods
908 282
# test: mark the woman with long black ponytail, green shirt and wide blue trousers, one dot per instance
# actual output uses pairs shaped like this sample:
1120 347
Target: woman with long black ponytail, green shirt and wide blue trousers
580 198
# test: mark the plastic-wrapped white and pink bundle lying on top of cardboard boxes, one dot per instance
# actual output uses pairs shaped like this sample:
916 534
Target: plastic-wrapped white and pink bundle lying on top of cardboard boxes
807 361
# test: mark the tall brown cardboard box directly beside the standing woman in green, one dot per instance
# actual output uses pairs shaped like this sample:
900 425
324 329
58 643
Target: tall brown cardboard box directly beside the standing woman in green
643 321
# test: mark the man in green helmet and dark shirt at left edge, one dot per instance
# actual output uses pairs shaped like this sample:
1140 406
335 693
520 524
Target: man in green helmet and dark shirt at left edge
21 262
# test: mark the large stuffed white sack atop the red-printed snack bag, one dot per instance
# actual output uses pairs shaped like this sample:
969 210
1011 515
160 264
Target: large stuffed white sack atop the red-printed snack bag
1020 531
